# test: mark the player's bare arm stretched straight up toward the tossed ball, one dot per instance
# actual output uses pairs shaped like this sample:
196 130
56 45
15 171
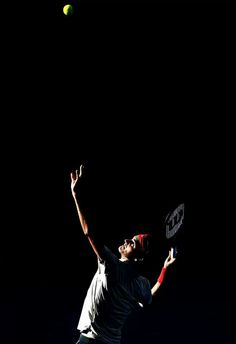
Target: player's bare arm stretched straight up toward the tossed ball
75 180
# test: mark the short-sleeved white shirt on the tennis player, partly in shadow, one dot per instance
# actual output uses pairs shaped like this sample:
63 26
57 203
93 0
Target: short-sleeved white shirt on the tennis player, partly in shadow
116 289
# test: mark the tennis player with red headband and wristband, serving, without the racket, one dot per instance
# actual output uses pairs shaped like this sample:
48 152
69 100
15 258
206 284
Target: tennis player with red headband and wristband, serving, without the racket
117 288
